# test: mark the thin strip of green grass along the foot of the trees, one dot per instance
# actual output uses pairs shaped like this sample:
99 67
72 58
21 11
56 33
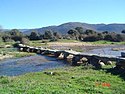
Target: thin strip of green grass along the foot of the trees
46 42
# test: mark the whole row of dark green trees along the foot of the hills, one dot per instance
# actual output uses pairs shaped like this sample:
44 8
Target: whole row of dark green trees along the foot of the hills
77 33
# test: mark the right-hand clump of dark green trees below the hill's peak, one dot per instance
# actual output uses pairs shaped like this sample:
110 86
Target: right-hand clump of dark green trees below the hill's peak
90 35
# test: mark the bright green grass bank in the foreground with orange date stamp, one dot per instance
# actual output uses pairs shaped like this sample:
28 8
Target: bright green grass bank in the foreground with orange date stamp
69 80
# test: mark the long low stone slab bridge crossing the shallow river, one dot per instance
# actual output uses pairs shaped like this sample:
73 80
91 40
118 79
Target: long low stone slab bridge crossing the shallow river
76 58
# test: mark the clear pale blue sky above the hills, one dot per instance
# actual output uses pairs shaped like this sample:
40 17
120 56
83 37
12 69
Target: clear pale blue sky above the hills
25 14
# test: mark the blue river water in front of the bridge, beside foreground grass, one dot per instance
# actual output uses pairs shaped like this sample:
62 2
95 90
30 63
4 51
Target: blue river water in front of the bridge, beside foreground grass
14 67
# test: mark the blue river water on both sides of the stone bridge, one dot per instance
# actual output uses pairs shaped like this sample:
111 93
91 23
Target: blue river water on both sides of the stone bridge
14 67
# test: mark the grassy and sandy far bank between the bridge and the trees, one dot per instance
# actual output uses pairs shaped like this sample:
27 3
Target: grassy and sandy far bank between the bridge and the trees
72 44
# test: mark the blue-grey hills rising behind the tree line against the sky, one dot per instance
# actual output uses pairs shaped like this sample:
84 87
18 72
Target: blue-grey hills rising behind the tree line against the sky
63 28
